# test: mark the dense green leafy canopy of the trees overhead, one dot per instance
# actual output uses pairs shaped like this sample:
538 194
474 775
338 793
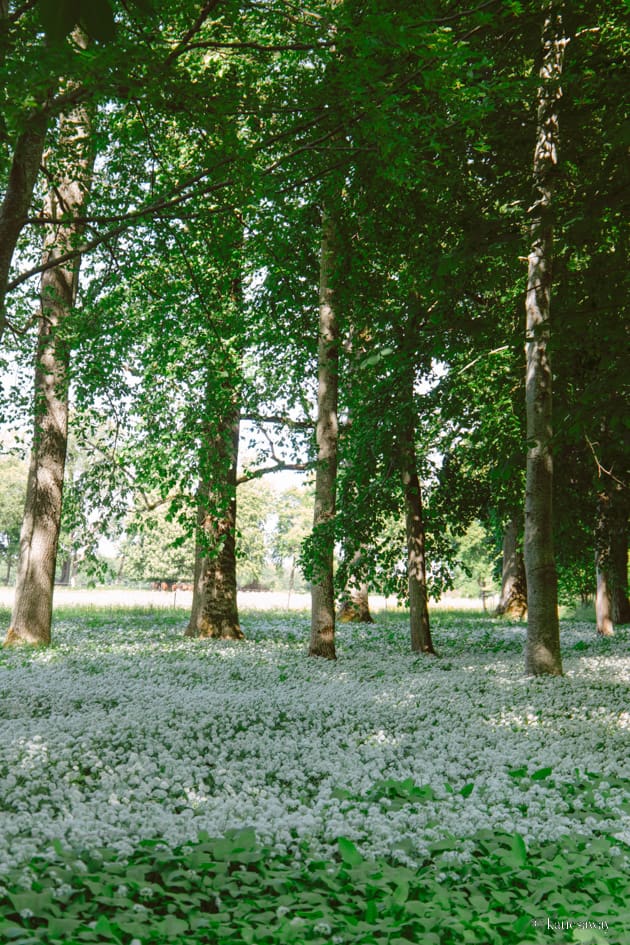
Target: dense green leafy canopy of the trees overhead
224 133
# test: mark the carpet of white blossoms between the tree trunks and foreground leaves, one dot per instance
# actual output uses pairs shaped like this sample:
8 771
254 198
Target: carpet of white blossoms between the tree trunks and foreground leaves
111 738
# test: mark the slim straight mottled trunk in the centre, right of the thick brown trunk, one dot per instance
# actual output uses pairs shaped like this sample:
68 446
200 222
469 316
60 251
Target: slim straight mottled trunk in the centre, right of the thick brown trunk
322 641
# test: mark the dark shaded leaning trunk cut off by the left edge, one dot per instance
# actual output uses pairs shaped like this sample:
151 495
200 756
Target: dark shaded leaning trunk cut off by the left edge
27 158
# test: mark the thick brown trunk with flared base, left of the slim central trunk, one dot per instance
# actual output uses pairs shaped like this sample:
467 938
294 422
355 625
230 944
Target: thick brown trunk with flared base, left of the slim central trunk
214 610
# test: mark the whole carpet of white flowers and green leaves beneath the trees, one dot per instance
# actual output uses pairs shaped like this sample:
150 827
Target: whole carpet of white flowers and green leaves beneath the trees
157 789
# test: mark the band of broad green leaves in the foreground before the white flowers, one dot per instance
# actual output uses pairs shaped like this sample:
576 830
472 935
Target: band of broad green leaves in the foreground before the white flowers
230 889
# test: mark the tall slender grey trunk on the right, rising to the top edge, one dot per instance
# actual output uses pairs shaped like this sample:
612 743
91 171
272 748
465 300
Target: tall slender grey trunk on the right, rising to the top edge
543 630
